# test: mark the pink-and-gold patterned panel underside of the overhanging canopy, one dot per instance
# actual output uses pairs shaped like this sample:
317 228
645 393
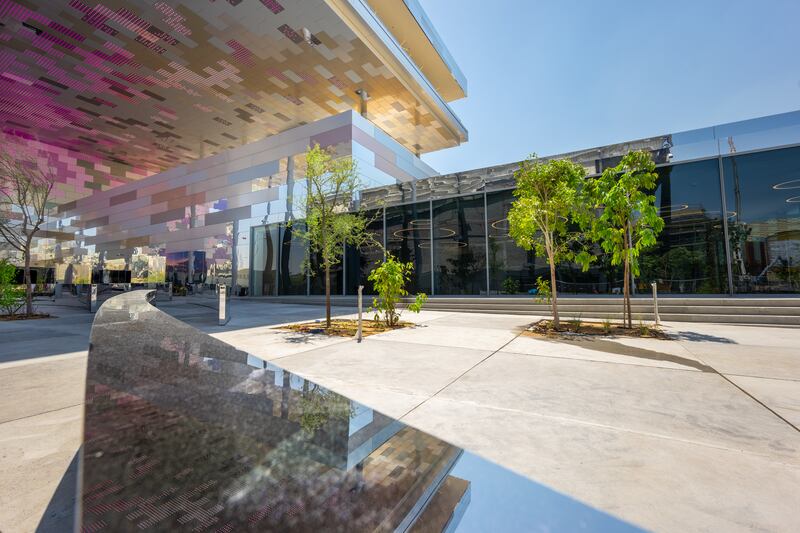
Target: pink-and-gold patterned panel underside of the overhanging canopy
157 84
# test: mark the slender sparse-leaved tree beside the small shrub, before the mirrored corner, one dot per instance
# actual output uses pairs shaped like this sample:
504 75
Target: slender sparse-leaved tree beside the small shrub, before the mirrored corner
330 222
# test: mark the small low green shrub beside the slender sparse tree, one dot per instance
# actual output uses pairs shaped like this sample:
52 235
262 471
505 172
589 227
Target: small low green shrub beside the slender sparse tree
389 278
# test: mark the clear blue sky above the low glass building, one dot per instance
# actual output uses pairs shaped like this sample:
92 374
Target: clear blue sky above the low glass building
550 76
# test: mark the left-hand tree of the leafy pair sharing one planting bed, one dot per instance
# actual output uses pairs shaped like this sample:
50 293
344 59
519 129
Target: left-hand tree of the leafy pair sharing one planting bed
539 219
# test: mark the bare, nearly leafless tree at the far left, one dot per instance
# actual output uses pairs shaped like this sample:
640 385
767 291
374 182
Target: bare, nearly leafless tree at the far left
25 189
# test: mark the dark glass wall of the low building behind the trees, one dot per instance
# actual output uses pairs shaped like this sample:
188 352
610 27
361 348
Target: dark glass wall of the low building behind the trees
459 245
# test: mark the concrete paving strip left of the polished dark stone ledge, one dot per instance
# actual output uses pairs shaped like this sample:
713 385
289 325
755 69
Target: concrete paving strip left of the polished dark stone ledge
42 381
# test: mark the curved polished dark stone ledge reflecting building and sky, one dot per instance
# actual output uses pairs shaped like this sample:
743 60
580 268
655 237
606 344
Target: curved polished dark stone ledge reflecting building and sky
184 432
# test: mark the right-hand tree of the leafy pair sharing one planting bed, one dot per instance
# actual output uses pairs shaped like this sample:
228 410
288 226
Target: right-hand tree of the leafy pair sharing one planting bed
628 220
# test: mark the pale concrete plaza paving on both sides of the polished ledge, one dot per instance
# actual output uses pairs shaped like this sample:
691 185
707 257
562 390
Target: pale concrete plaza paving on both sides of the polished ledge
698 433
